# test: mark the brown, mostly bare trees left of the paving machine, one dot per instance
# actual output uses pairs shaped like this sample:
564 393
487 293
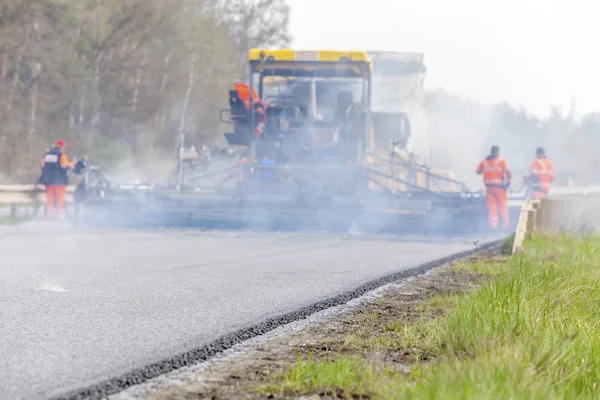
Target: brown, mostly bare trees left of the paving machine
120 78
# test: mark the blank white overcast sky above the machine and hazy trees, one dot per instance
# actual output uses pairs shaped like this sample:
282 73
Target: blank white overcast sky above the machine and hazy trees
530 52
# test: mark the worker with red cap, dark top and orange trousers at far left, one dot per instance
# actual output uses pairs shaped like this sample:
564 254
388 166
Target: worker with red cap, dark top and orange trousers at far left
55 165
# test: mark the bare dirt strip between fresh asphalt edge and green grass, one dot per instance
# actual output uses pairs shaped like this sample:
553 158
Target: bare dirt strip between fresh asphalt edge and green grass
360 331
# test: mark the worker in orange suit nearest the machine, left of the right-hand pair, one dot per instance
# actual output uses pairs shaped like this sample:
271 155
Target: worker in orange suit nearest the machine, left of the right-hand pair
496 178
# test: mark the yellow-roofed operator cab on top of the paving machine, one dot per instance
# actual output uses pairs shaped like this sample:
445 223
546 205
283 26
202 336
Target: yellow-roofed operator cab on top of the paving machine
313 102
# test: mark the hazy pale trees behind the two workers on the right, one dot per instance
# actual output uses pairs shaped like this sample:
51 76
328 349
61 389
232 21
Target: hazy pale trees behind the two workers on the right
462 130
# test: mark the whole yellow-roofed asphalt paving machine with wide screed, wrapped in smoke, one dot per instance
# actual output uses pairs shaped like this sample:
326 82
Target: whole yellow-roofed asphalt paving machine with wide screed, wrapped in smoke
324 156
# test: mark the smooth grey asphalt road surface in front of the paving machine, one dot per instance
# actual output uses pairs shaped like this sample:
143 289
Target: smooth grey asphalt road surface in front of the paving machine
81 307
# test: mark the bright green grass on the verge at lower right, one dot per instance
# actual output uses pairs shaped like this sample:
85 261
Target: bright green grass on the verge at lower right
532 332
